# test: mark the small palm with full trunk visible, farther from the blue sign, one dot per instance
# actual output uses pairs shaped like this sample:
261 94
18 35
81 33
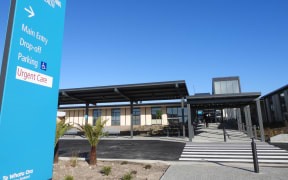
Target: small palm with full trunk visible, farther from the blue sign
94 134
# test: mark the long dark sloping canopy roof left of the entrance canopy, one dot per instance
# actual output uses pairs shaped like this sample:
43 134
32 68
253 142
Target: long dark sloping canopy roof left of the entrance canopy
124 93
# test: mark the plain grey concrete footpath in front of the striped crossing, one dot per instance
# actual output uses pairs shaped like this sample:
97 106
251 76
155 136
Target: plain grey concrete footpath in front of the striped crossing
223 172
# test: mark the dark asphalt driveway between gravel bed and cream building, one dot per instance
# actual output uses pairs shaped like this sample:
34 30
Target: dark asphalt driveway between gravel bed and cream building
124 149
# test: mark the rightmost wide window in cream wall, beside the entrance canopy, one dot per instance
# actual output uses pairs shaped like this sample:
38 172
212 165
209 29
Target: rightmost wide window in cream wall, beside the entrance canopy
174 114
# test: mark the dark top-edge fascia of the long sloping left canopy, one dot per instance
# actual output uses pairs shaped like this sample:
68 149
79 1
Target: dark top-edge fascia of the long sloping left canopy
125 86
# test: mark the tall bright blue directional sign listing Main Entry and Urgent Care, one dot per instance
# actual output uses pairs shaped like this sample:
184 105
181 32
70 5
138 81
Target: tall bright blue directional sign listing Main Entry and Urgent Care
29 86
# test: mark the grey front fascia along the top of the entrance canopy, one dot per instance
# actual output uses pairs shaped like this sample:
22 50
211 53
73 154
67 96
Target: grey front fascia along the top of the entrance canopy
225 96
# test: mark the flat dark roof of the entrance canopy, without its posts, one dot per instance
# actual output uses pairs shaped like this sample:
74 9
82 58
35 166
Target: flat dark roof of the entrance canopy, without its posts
222 100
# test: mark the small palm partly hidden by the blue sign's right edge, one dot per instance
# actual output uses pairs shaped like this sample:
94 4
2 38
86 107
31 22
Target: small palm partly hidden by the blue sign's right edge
61 128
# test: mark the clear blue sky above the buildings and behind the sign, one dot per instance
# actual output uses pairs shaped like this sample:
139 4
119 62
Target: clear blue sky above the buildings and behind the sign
109 42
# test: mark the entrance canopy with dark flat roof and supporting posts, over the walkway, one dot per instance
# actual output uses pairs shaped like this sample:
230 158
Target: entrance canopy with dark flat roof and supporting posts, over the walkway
221 101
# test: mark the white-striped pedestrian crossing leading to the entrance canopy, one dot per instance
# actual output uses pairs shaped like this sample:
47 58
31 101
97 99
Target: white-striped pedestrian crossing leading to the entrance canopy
233 152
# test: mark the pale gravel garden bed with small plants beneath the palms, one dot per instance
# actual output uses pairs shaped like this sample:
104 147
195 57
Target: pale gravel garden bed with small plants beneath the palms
83 171
